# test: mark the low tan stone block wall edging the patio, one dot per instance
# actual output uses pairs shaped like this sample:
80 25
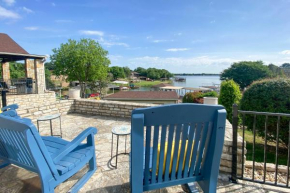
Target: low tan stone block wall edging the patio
35 105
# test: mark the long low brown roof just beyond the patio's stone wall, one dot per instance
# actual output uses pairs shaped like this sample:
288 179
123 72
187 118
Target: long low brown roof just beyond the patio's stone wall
144 95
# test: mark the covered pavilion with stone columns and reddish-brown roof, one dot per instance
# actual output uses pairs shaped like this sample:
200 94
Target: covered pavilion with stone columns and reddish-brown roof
10 51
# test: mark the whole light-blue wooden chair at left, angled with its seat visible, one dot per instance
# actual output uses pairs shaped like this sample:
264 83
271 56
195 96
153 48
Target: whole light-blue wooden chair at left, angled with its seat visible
53 159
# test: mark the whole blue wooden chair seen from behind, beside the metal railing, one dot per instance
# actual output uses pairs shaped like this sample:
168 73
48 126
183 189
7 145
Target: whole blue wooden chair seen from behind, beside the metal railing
182 144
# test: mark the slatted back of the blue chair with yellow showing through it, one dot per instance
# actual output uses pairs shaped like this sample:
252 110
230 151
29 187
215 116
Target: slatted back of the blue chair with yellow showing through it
176 139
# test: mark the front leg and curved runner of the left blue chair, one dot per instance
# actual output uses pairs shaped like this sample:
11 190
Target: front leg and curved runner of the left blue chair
86 177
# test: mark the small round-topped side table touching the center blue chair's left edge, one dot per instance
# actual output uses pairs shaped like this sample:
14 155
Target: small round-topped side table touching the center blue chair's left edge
119 131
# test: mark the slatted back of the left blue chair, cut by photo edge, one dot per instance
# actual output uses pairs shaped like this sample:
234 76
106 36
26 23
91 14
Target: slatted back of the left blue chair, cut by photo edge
21 144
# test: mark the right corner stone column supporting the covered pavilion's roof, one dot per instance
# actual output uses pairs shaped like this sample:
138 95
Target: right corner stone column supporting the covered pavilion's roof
40 76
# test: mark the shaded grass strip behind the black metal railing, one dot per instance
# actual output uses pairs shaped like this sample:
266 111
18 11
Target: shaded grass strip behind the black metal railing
259 149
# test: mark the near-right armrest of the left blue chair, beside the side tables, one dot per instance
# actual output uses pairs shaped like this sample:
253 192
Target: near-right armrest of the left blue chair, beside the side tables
88 133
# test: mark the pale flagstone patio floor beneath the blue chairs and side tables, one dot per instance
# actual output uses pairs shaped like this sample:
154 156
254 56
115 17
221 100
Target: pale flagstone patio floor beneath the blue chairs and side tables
106 179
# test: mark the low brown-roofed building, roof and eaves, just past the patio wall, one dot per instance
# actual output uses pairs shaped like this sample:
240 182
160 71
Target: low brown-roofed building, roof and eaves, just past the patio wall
153 97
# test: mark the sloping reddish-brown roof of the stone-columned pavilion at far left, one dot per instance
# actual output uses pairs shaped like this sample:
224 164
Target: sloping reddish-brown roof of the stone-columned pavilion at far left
7 44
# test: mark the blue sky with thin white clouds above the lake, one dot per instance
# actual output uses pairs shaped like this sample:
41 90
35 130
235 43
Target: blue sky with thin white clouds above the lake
181 36
